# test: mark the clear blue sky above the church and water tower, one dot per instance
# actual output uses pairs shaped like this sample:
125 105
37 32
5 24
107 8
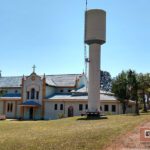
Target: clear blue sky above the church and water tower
49 34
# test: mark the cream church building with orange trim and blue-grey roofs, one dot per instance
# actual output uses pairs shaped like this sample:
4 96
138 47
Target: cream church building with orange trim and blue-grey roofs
48 97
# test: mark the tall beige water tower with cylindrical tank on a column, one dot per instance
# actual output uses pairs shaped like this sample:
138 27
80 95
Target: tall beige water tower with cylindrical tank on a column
95 36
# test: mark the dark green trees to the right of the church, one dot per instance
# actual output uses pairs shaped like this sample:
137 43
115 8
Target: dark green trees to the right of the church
129 85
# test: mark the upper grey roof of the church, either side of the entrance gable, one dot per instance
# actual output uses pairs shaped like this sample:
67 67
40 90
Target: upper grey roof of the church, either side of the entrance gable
63 80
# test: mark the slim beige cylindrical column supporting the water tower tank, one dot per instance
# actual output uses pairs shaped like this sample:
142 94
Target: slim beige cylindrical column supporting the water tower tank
94 78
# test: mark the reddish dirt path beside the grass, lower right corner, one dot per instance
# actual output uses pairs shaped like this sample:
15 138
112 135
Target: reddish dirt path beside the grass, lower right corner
131 141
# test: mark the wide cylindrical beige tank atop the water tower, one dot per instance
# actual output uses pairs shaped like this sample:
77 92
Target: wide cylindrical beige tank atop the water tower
95 26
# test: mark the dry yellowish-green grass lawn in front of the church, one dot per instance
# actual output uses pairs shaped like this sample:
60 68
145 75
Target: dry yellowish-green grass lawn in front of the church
66 134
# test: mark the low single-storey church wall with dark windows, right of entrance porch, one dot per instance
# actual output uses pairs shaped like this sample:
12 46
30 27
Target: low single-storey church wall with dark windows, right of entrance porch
51 113
